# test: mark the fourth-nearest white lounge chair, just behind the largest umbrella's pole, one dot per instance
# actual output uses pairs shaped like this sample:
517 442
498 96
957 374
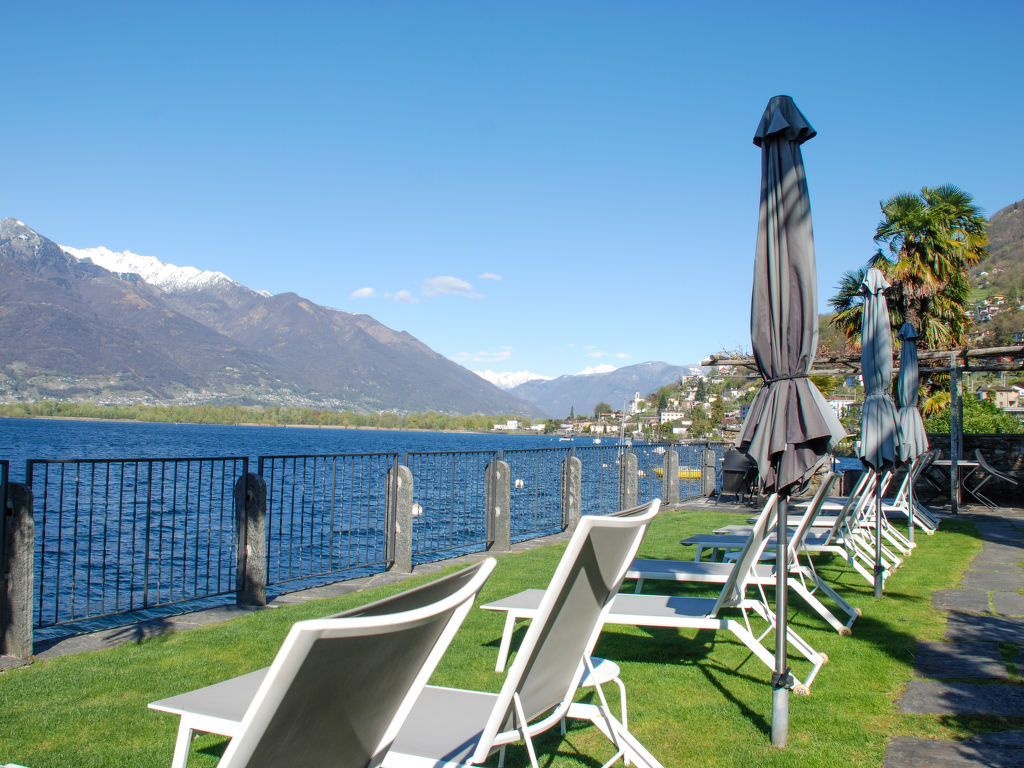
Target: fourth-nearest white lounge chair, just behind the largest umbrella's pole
803 580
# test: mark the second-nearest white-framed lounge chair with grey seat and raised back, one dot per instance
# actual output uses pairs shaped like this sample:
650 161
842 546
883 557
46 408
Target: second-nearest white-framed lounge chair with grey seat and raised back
456 728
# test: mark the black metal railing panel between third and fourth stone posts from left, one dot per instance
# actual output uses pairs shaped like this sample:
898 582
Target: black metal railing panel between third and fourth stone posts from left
449 501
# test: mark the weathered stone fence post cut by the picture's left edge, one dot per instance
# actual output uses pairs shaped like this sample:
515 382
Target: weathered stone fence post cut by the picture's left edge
17 584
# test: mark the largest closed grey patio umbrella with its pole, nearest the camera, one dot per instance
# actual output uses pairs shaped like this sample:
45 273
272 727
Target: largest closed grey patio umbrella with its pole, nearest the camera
790 428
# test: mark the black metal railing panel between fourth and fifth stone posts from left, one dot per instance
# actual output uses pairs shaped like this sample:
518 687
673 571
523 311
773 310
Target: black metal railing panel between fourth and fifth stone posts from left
536 491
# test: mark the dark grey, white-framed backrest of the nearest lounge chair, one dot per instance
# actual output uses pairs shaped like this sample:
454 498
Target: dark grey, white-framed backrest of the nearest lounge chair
340 688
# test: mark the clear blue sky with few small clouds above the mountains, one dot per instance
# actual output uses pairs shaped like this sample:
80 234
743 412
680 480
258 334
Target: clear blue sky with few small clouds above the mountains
539 187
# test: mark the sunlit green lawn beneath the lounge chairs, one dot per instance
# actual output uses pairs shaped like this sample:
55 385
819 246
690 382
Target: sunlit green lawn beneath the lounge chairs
696 699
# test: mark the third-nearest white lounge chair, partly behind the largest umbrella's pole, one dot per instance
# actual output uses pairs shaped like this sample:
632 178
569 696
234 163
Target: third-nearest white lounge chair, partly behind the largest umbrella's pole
686 613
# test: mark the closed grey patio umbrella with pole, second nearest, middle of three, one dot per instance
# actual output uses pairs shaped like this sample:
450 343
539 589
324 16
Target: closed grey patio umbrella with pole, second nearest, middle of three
879 437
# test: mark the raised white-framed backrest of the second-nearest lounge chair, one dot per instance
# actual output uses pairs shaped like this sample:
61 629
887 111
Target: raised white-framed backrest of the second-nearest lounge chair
546 672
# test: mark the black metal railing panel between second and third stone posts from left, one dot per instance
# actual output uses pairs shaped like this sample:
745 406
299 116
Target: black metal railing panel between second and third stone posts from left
327 515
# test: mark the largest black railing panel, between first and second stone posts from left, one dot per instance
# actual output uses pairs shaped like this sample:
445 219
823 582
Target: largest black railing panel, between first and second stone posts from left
118 536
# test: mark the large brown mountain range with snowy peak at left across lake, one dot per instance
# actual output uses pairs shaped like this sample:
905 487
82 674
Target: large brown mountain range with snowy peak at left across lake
120 328
